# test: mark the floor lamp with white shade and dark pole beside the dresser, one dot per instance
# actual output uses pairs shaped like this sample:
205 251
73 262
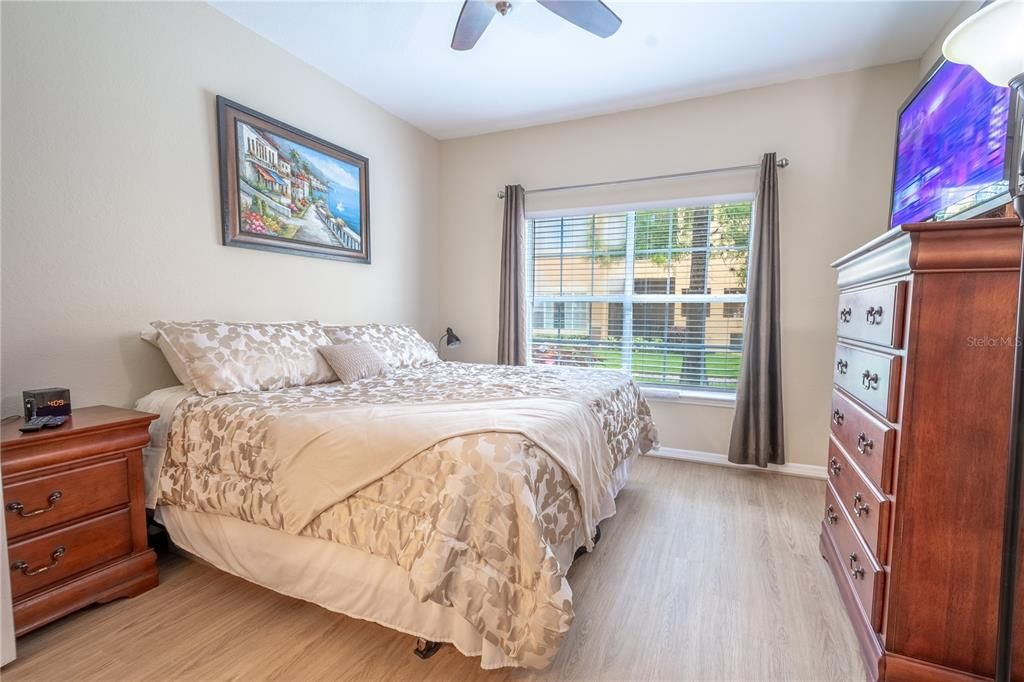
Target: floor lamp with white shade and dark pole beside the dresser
992 40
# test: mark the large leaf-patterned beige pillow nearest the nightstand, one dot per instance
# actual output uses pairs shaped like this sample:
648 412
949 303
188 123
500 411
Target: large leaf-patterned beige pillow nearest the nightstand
229 358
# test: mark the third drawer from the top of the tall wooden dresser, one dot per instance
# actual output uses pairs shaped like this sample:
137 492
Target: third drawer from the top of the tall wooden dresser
866 439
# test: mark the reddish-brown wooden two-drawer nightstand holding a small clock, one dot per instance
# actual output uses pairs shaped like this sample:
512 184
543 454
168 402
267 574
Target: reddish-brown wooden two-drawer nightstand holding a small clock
75 510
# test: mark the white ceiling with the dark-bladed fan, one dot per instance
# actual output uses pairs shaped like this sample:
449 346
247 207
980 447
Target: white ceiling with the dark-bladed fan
532 67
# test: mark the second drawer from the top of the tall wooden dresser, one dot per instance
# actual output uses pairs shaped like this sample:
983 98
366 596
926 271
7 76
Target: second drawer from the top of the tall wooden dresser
871 377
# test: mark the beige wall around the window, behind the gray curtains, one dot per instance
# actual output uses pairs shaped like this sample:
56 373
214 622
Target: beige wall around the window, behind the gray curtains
838 133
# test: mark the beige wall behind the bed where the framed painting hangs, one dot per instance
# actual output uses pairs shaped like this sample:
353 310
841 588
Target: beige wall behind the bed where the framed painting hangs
111 196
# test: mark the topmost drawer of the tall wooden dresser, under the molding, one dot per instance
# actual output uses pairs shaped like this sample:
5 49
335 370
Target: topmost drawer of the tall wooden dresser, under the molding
875 315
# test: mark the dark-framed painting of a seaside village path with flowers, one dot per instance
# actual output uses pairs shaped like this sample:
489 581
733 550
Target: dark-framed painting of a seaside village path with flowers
284 190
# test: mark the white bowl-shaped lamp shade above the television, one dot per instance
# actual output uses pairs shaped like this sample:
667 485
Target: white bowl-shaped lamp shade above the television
992 40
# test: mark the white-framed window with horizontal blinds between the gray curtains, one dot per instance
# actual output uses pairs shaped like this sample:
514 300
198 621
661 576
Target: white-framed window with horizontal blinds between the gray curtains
659 293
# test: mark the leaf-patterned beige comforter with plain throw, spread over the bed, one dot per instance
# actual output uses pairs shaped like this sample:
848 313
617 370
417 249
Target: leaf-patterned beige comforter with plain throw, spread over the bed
484 523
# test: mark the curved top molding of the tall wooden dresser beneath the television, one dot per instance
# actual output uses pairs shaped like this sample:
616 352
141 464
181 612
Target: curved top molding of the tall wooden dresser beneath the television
988 244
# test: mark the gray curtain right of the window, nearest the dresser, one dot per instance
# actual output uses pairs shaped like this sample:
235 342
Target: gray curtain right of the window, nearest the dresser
757 430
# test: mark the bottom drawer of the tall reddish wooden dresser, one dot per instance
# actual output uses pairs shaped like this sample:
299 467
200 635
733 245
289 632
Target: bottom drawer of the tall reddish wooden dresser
860 567
